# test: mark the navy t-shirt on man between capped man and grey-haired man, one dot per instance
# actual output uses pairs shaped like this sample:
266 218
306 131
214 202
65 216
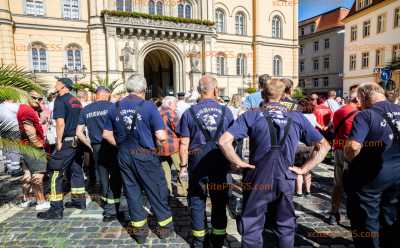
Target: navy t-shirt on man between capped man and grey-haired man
93 116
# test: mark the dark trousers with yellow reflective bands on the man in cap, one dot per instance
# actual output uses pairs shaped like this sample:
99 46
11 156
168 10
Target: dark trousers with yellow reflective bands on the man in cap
68 160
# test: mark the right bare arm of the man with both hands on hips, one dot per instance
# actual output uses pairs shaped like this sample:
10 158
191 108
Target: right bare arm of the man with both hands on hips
320 151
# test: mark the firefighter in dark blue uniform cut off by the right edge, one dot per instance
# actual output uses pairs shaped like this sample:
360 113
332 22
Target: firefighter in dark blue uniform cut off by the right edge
373 178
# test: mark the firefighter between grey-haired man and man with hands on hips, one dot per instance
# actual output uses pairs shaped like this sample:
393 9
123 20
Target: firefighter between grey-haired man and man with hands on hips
199 128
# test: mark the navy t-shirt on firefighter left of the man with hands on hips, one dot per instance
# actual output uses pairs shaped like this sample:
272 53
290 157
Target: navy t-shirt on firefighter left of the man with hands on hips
209 113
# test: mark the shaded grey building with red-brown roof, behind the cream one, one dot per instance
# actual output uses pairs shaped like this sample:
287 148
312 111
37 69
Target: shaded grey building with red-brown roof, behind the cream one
321 41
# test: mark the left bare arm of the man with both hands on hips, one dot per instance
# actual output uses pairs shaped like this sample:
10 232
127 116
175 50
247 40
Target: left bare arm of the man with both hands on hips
226 145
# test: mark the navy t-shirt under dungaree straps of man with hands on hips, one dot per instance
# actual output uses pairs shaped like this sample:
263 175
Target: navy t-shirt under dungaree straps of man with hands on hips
254 124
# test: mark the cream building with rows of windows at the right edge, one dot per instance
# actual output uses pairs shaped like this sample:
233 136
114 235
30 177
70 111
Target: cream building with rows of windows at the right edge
372 31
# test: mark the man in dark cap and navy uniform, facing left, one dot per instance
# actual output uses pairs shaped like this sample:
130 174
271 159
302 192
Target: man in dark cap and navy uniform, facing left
68 154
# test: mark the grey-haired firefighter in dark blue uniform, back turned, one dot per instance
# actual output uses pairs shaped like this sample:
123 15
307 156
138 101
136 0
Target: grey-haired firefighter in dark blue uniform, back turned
135 126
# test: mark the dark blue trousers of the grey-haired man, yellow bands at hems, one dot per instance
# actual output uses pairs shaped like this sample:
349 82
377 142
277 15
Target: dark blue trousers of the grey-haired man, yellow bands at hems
141 171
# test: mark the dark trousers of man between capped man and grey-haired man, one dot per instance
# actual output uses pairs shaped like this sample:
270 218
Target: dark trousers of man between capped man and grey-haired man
109 176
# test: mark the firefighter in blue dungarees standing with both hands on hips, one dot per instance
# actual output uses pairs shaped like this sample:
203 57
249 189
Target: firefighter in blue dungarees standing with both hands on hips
269 178
